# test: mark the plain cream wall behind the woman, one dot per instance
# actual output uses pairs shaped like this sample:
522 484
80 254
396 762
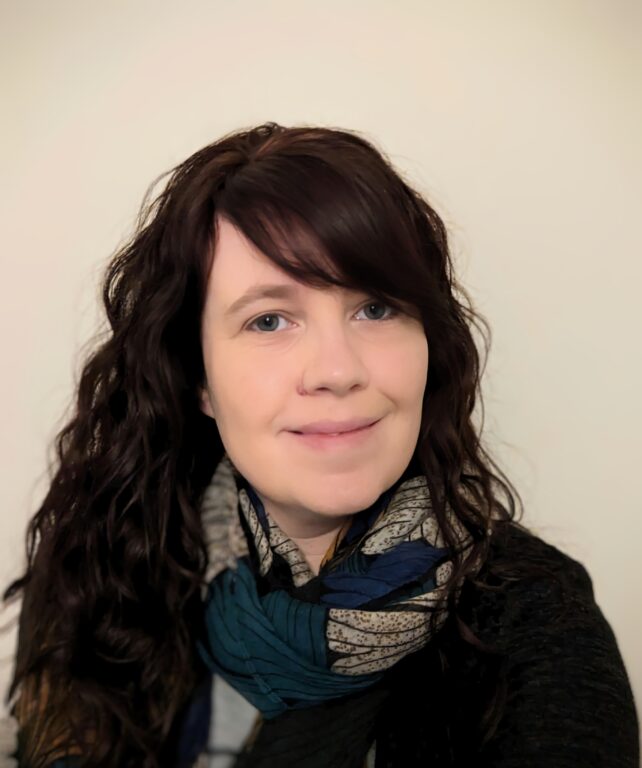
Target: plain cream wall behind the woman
520 121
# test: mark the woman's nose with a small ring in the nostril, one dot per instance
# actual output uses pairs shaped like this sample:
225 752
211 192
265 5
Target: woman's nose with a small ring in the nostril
332 361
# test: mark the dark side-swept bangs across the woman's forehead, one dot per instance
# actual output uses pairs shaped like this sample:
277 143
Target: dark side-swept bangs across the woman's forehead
341 219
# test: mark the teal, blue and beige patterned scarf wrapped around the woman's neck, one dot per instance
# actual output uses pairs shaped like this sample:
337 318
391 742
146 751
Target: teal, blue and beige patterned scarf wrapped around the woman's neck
286 638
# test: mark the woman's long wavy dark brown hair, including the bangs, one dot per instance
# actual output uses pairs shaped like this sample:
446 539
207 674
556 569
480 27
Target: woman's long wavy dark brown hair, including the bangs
116 557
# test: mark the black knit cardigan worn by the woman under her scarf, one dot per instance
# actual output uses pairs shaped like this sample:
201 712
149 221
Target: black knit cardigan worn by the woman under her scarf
550 690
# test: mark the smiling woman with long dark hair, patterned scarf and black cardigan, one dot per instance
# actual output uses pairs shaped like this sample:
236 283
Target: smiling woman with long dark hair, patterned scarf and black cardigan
273 496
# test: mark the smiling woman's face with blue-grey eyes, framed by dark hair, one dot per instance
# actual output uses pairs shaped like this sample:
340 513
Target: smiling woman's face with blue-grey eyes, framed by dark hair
276 365
